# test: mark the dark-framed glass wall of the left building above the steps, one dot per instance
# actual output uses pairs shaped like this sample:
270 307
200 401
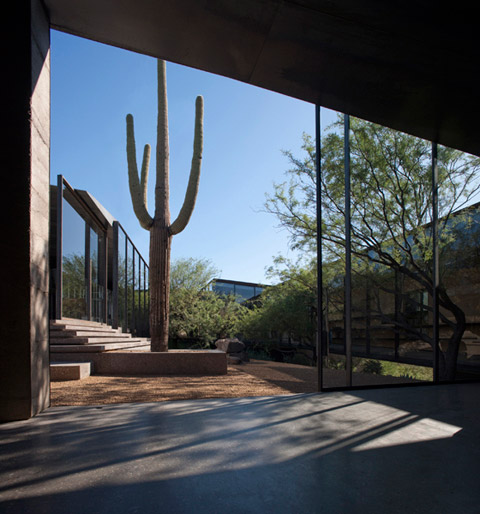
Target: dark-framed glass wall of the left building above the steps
91 282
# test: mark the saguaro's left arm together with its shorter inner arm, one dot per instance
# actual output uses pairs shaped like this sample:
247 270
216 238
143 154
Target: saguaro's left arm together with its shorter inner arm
137 191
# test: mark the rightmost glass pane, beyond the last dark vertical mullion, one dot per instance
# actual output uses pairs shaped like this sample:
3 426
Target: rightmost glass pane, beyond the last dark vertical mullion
459 264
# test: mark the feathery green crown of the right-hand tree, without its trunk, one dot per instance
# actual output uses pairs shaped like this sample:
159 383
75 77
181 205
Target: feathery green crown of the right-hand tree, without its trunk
390 193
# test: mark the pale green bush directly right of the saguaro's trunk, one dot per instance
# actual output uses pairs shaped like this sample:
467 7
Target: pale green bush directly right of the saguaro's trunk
197 315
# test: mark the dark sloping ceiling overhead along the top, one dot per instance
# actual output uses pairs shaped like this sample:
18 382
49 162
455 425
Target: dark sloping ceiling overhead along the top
398 63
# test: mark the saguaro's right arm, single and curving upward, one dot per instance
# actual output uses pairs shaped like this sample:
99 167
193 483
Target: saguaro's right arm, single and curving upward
192 189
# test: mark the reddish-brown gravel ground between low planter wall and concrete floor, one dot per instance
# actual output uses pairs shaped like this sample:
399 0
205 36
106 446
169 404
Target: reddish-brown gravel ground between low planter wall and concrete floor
255 378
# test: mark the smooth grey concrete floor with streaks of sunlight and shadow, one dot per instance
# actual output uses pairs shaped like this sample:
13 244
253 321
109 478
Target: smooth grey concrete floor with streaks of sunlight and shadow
411 450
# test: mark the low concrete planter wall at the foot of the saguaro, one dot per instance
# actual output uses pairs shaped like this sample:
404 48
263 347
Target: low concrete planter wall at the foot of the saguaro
173 362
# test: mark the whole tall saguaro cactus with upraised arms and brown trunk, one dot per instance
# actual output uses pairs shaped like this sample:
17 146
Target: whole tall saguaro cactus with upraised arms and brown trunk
161 230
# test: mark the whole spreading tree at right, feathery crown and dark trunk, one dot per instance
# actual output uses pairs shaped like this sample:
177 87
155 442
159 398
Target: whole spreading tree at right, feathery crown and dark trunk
391 220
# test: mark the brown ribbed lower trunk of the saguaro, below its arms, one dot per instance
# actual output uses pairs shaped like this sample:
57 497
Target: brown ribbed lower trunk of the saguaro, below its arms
160 244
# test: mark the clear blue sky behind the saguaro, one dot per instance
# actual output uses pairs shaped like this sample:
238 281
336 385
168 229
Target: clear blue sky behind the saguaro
95 86
